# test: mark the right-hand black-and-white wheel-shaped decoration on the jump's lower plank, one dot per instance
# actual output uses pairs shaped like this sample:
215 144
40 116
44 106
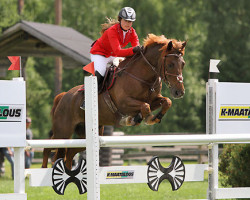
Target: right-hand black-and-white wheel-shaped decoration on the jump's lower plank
175 173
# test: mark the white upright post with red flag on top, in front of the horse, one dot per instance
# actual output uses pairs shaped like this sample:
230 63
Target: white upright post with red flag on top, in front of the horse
92 136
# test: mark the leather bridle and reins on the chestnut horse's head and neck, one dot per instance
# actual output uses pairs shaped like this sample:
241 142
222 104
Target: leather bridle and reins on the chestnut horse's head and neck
179 77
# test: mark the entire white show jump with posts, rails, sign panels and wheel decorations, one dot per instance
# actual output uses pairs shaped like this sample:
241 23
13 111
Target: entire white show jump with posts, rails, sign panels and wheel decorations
225 124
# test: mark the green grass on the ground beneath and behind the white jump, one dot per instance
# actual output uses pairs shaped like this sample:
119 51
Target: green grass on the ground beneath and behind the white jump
194 190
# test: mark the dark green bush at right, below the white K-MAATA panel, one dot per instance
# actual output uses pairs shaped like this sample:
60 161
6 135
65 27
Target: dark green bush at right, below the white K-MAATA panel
234 165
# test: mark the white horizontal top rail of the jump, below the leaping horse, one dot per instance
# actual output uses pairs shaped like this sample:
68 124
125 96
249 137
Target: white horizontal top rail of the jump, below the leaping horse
143 140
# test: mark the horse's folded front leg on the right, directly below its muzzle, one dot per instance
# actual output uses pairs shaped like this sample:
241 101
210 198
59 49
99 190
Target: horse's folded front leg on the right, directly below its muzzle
163 102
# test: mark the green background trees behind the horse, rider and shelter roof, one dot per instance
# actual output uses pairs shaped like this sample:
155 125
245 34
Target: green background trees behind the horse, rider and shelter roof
214 29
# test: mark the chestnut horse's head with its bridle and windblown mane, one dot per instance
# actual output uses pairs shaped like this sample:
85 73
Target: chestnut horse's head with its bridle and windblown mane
171 62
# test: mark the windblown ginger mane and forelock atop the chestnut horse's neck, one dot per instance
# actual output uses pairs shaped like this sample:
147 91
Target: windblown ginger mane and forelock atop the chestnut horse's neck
152 39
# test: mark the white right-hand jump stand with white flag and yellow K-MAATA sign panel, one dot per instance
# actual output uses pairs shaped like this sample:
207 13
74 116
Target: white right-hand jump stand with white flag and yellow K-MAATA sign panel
225 105
